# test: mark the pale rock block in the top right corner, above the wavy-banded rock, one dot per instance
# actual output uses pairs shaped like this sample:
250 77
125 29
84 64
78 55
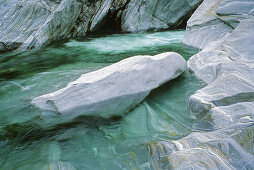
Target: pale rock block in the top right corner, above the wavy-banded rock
214 20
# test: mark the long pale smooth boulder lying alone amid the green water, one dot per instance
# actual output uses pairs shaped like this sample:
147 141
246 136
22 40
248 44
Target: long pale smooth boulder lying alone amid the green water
115 89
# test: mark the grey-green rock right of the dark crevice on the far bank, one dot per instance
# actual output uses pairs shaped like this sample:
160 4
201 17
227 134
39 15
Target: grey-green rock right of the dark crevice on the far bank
142 15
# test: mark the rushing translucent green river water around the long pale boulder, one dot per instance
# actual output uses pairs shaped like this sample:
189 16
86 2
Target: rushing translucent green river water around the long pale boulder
31 140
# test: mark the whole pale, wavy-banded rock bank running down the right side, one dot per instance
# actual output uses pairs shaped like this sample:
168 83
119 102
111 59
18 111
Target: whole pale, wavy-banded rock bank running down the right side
224 108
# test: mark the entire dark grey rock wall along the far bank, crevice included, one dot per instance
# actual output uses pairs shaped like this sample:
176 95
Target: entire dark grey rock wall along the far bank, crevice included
27 24
